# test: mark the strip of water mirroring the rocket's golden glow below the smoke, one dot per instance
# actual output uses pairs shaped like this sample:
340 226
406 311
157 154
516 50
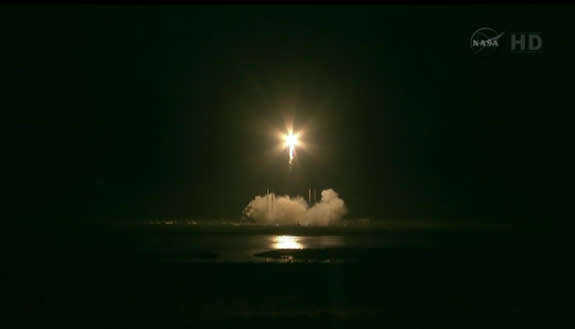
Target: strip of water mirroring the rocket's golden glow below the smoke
242 246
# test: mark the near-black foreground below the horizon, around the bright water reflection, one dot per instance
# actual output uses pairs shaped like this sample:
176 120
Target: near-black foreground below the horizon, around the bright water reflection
139 281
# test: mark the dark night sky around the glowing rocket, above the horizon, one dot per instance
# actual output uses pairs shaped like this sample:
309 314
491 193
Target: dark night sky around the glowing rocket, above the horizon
136 111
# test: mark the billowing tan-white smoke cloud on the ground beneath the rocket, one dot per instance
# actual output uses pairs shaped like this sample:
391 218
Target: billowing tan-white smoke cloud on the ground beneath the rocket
272 209
